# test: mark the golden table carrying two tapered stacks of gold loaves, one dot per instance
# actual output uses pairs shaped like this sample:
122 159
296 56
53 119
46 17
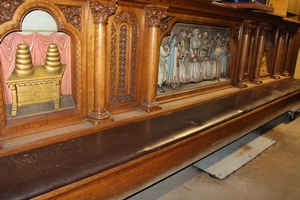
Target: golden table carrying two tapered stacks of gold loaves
35 84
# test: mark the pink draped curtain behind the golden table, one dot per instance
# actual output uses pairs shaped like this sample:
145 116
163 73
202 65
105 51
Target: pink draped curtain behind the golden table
38 44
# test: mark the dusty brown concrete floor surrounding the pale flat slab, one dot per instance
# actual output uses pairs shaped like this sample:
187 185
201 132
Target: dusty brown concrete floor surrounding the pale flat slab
274 174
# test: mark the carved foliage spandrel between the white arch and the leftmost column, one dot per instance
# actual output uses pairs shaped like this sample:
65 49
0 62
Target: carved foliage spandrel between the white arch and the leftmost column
72 14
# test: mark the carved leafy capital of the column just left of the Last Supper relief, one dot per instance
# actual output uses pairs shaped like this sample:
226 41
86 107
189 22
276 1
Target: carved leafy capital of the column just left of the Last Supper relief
155 15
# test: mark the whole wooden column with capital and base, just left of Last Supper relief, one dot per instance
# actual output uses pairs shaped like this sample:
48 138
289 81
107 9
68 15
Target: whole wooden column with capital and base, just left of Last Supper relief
155 15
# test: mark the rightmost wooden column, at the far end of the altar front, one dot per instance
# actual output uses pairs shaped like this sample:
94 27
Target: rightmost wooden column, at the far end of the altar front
288 54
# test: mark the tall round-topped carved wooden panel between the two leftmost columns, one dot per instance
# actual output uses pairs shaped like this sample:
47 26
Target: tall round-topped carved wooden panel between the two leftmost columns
123 61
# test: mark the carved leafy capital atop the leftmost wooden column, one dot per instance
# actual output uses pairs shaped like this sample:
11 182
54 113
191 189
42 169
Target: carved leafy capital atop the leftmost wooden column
102 11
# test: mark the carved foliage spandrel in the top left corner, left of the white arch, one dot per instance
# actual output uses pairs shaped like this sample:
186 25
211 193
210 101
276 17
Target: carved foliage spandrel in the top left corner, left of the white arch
8 8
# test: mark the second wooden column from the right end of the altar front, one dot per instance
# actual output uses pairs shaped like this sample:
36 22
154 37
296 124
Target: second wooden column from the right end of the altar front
275 73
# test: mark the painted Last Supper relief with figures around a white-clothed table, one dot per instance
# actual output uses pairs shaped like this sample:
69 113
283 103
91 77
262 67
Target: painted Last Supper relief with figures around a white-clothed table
193 54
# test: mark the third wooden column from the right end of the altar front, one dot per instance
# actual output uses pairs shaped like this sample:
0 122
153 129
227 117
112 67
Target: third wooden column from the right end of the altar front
263 30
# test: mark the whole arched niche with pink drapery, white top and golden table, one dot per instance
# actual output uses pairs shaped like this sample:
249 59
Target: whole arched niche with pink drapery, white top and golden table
33 77
